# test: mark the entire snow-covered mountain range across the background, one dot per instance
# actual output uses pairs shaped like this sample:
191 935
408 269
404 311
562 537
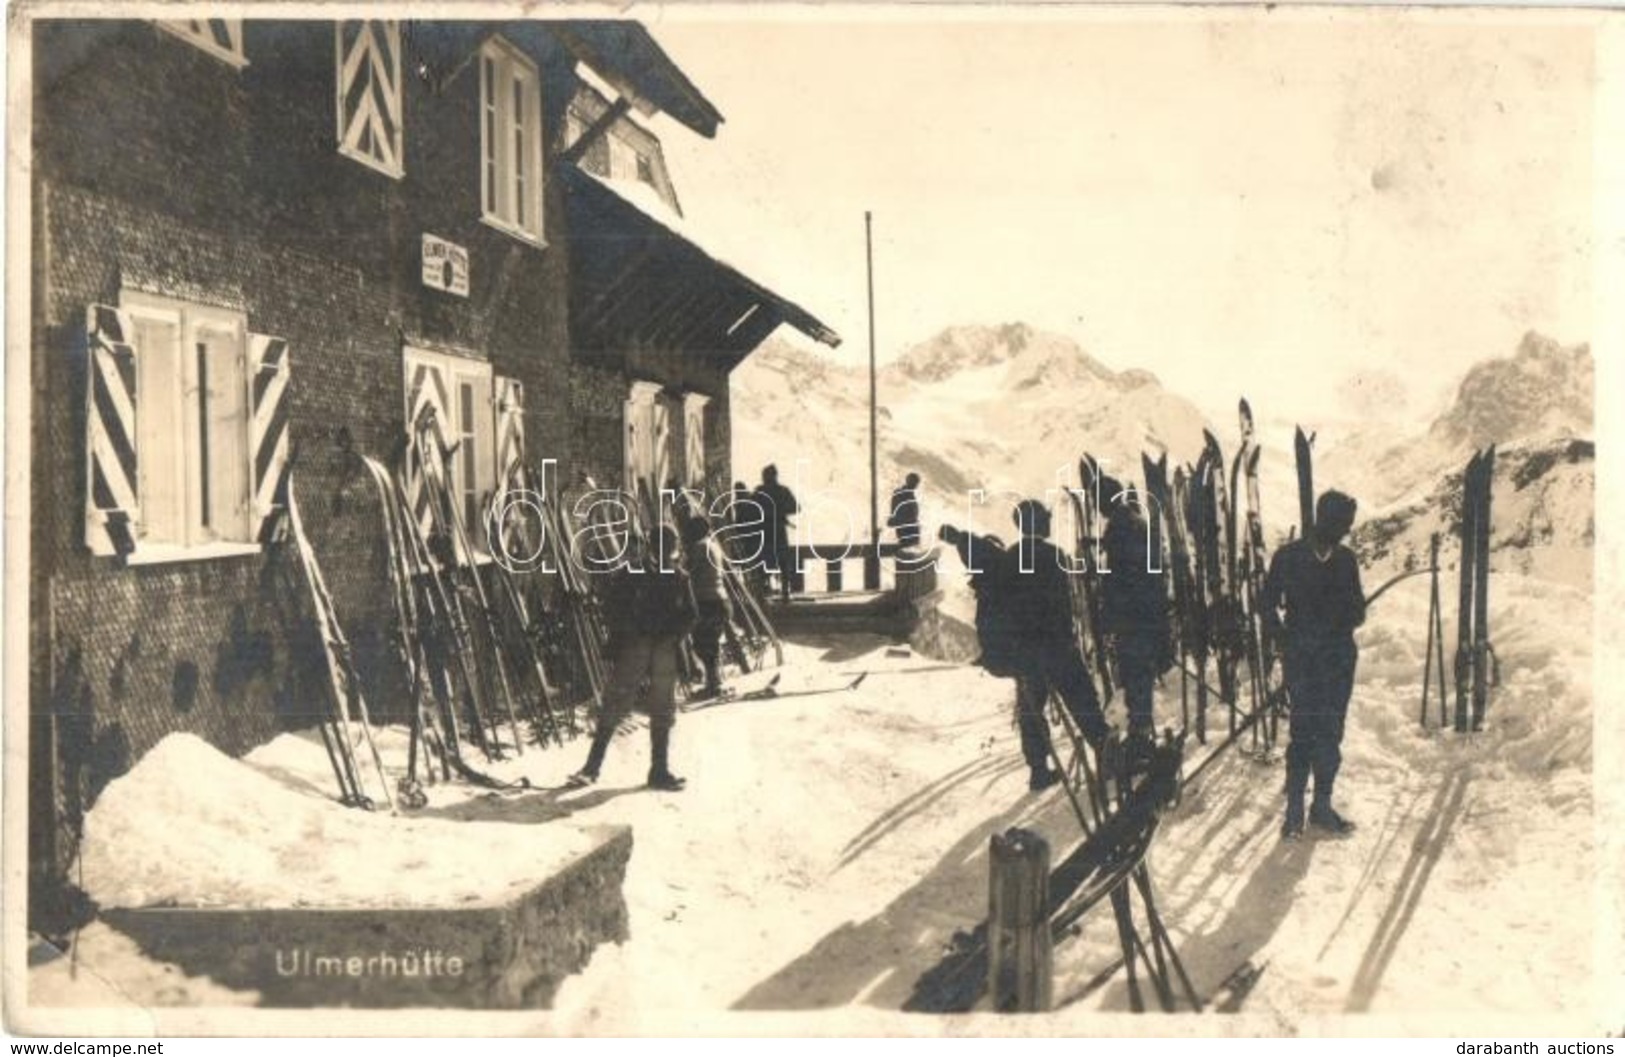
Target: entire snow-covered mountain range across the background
1010 409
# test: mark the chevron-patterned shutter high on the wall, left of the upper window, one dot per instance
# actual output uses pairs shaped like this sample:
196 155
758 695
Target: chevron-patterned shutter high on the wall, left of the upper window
370 94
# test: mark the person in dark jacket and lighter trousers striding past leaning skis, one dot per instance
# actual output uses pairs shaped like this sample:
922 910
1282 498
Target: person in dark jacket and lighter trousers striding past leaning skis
654 609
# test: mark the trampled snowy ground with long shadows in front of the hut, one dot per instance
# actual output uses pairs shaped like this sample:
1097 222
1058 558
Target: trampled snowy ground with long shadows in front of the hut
831 845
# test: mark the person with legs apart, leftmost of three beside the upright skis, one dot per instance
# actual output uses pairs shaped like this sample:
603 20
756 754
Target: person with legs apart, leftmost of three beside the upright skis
1042 622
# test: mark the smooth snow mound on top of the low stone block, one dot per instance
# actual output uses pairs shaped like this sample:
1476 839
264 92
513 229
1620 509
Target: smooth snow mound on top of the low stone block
193 827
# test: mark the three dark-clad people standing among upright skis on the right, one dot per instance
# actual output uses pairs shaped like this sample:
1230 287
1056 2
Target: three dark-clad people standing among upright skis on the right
1312 602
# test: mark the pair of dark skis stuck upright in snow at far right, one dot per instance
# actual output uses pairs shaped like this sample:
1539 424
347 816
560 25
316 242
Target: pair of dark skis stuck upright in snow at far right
1475 655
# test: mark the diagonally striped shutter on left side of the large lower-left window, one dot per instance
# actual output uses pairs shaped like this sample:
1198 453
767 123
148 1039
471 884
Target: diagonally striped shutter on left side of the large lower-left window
113 510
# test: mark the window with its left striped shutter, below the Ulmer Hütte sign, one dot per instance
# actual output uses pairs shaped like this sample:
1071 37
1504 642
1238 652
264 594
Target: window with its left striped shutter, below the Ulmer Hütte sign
459 391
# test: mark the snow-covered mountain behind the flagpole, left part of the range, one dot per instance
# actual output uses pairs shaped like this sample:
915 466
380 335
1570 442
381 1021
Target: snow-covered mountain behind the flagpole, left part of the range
1000 409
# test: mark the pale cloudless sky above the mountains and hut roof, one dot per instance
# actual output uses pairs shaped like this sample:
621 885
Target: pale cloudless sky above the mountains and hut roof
1263 204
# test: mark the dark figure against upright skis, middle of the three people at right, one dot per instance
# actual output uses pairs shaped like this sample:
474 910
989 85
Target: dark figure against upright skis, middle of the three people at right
1135 611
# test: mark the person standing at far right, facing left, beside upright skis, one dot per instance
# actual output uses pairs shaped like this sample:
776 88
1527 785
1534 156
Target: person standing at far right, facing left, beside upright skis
1317 580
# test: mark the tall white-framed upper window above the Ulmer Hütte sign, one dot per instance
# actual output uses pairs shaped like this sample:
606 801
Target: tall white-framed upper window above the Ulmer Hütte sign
509 141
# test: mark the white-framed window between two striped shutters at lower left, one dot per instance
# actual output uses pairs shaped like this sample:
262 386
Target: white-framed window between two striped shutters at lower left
193 424
